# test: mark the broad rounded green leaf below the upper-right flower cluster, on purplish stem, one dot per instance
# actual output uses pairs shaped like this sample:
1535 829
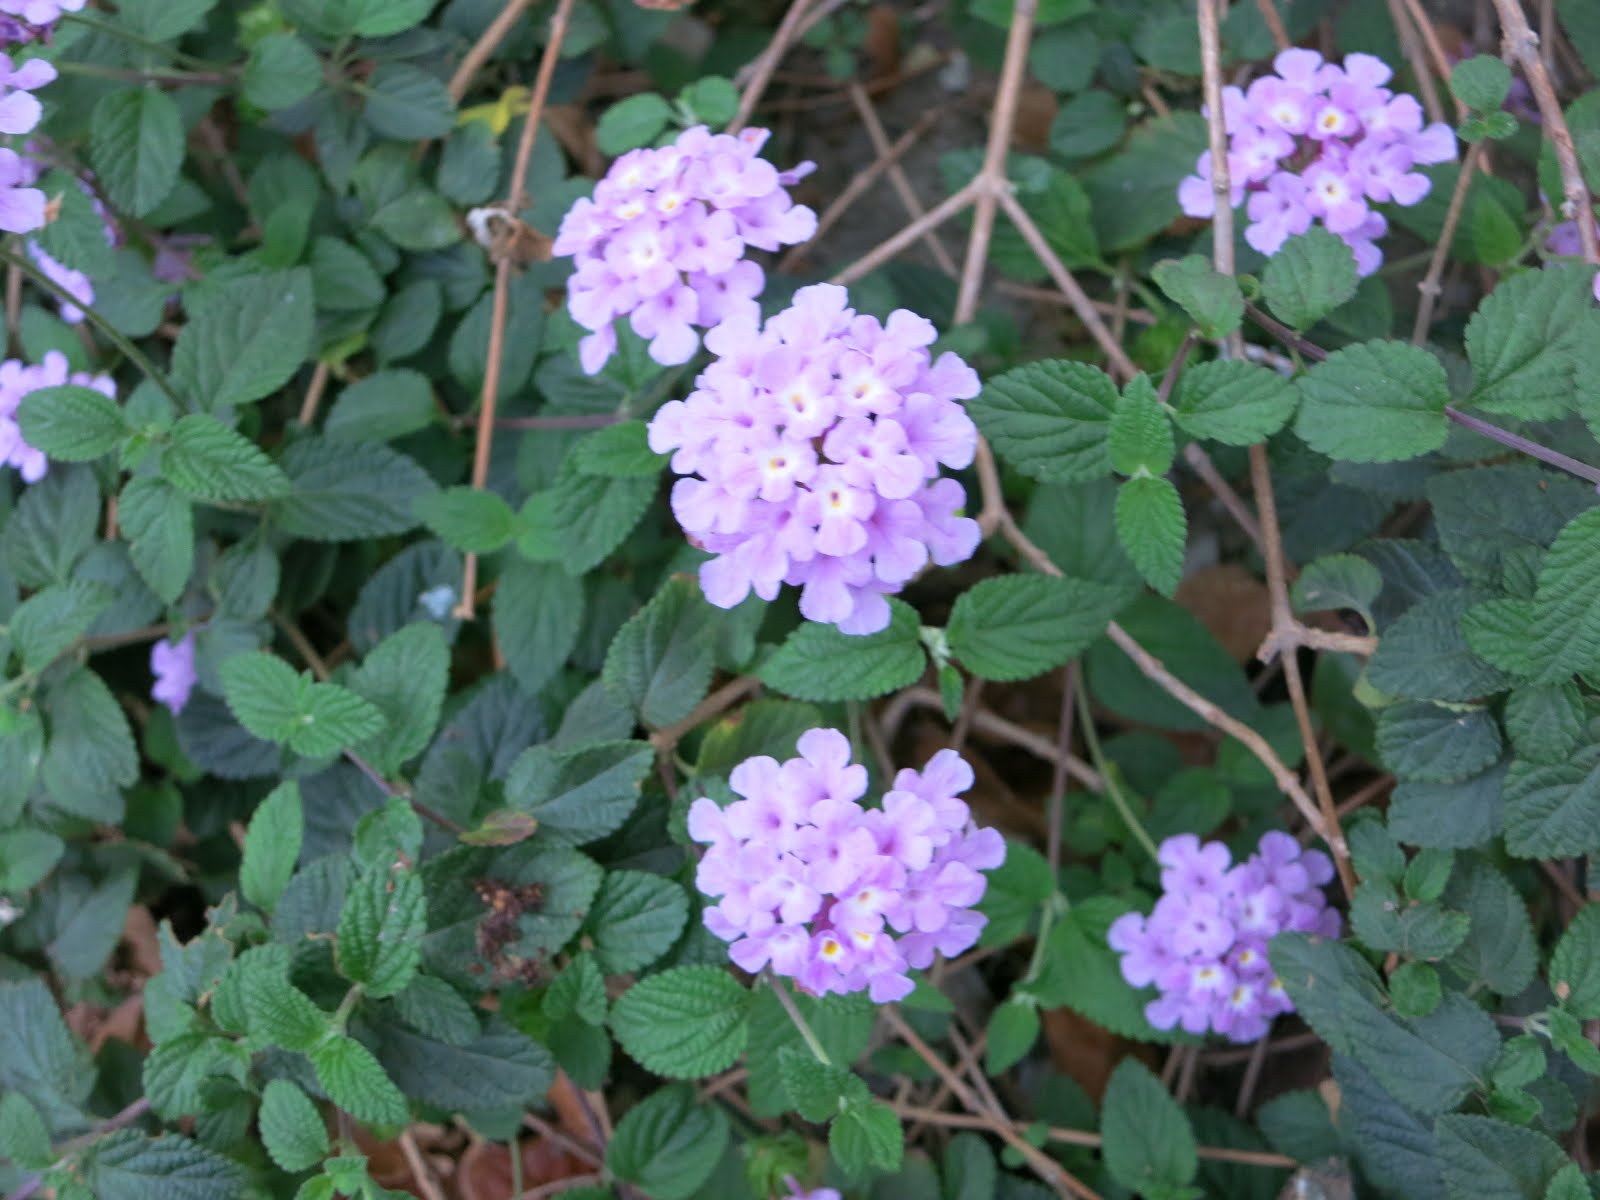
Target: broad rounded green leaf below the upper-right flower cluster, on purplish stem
1375 402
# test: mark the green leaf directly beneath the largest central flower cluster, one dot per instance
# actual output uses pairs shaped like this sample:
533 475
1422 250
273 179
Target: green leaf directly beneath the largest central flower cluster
818 663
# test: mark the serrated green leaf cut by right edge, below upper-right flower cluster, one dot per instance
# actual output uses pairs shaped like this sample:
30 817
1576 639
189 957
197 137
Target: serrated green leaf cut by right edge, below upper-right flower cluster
1529 338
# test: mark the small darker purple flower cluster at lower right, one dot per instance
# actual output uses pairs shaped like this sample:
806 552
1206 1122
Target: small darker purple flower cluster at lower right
1206 945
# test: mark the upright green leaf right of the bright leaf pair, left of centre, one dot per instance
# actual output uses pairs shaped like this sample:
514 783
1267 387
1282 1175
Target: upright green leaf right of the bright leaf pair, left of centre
404 678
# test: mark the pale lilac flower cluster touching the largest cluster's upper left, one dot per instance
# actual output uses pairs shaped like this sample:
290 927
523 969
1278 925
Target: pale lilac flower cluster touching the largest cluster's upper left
663 241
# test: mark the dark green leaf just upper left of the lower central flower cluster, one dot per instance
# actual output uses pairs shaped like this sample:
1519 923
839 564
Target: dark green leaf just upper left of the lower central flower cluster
578 796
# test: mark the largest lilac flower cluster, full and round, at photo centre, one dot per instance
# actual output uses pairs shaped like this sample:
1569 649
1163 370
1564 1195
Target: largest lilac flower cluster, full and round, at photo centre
812 454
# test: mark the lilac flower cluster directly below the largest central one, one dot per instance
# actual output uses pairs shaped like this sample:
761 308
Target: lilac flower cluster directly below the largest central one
814 884
